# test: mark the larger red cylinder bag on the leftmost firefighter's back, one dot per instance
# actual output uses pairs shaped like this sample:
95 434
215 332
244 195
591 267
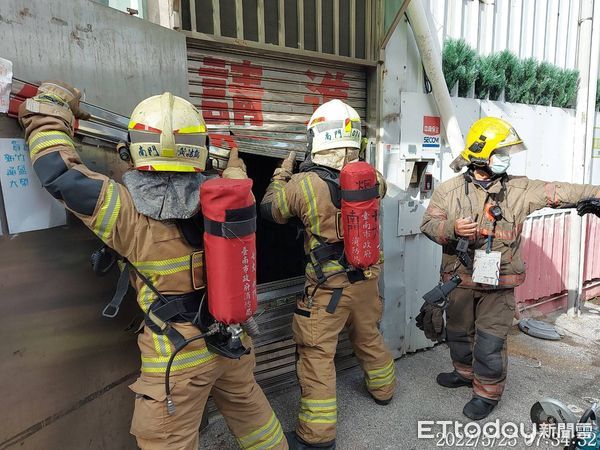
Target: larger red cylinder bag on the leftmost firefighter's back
229 211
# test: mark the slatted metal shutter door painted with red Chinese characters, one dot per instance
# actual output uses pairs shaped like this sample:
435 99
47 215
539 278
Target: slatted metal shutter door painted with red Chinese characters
265 103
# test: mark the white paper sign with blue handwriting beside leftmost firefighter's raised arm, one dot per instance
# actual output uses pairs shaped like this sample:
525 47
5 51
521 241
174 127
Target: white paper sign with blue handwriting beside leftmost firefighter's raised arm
28 206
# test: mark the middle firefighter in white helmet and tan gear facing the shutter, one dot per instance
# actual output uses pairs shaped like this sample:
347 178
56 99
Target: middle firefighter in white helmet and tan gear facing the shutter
337 296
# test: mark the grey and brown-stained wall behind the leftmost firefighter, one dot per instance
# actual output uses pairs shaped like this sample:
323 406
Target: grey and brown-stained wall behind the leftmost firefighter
64 368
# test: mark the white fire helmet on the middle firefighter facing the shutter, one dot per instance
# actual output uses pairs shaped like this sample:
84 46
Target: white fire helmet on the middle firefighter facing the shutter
335 131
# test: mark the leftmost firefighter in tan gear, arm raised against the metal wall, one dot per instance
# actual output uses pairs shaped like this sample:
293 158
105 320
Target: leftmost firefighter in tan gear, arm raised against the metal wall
152 221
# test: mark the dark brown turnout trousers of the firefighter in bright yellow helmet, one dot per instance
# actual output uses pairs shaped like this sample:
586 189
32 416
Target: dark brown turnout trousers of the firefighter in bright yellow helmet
478 324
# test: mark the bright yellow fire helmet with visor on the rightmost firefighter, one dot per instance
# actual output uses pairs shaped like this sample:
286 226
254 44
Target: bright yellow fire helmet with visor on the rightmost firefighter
486 136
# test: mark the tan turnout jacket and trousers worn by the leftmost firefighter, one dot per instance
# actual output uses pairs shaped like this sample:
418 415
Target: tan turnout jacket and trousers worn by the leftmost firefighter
160 252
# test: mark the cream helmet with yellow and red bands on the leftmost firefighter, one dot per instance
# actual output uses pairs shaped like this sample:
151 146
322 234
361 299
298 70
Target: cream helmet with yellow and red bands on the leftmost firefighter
168 134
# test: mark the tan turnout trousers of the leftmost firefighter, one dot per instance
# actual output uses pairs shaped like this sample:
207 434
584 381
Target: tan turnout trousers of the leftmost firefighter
234 390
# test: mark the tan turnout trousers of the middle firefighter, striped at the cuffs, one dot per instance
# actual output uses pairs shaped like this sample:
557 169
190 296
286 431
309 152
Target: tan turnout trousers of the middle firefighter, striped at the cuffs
316 335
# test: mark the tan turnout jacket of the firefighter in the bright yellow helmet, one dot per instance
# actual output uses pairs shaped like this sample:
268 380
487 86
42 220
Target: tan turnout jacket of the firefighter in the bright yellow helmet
516 196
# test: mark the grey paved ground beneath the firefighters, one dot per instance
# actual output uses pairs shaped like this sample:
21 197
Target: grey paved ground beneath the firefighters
568 370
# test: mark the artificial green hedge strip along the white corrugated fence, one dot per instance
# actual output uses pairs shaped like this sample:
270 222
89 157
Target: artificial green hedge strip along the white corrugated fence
522 80
